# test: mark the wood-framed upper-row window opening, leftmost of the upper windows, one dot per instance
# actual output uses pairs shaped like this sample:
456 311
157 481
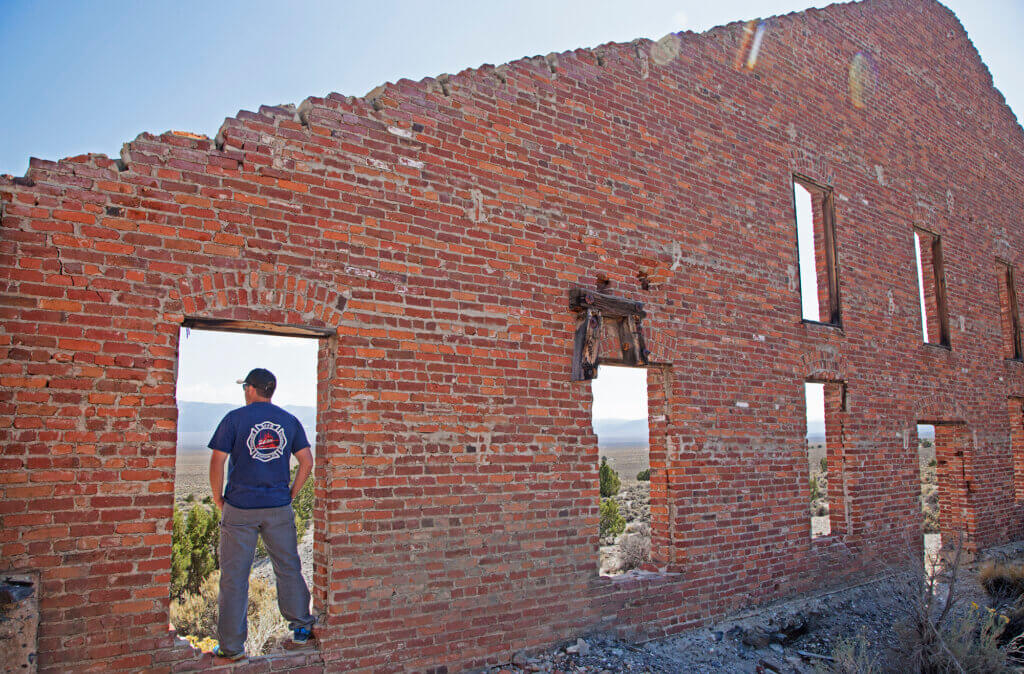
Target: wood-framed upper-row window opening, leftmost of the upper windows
816 217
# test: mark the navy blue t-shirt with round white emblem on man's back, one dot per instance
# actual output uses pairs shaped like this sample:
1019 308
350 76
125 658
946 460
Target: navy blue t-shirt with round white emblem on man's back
261 439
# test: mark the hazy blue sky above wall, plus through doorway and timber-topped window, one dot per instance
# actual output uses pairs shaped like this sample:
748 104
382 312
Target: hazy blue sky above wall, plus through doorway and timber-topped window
87 77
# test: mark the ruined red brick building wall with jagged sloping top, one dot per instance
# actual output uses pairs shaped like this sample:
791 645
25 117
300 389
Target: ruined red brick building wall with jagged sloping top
432 234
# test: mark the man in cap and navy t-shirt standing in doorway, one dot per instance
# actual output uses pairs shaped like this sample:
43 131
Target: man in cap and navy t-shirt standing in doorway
260 439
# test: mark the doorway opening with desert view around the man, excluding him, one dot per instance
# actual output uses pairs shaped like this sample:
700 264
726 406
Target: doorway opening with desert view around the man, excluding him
210 363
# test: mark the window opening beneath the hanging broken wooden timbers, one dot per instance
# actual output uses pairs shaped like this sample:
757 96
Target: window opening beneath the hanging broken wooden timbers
621 423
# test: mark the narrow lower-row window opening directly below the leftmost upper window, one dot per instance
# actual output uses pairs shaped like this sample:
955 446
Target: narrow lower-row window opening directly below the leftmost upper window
825 407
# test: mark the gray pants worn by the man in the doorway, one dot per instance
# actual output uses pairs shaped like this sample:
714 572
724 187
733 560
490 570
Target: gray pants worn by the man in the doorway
239 530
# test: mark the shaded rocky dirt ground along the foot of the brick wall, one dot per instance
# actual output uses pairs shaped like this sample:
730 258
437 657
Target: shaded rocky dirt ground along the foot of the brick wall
792 638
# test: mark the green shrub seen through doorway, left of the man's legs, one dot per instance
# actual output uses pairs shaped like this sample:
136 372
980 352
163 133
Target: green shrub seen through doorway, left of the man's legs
194 549
